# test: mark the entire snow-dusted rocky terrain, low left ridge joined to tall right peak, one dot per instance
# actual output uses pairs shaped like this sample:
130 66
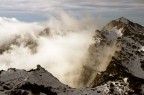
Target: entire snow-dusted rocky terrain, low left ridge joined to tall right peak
115 67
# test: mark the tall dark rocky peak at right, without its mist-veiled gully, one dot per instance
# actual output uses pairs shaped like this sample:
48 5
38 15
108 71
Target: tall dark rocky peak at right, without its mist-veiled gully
128 58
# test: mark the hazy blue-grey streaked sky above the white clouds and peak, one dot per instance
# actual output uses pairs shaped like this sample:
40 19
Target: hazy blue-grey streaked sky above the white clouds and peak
39 10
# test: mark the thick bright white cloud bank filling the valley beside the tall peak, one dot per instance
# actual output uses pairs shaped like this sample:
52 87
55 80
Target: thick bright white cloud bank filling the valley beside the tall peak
60 45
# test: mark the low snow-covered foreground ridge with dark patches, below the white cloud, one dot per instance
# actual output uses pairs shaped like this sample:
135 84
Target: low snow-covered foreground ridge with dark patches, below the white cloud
40 82
